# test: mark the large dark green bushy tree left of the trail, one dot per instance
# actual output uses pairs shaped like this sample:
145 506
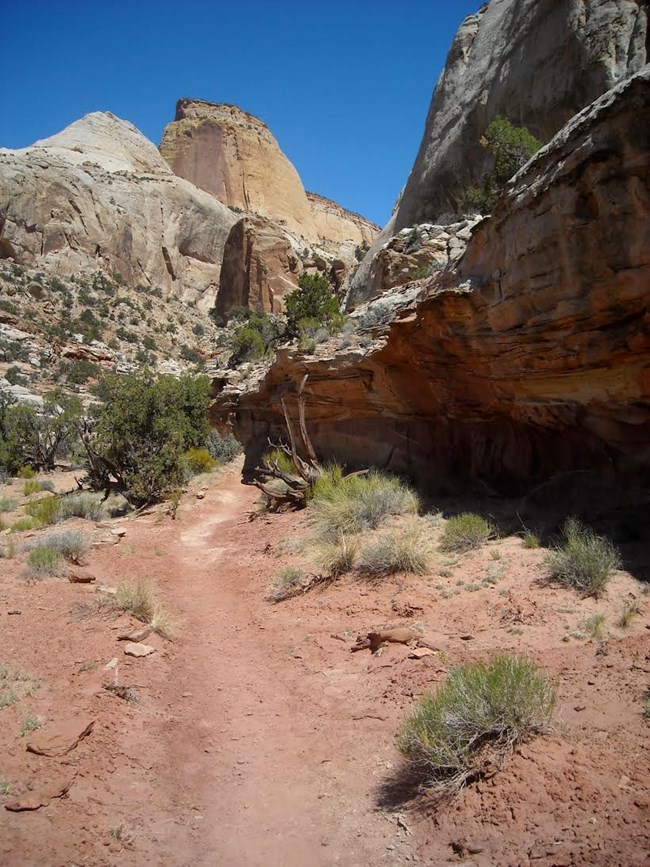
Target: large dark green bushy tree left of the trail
141 432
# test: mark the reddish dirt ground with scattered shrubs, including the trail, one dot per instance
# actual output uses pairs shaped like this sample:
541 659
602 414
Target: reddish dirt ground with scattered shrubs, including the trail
258 738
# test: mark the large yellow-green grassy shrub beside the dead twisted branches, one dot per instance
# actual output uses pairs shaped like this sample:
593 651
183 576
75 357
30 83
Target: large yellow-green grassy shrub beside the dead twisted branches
349 505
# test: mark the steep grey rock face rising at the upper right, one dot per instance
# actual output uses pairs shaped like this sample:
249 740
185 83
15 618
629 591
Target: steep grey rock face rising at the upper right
536 62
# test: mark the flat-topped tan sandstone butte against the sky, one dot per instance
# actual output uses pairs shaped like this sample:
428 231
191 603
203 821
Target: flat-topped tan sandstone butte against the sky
234 156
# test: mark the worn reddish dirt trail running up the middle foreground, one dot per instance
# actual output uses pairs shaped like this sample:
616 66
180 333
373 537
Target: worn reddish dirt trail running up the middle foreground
249 751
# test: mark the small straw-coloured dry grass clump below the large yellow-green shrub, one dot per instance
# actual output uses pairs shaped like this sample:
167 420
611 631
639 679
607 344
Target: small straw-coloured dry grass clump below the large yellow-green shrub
402 550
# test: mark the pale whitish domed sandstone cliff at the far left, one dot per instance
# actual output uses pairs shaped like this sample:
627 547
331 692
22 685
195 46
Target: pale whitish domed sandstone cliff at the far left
99 195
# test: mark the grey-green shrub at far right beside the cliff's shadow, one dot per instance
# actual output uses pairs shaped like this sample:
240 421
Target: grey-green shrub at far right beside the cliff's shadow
585 561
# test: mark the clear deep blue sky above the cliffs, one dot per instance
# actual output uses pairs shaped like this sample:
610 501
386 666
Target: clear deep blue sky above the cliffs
344 85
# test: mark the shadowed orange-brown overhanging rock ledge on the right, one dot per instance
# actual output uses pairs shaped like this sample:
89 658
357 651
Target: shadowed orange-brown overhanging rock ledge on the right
527 358
